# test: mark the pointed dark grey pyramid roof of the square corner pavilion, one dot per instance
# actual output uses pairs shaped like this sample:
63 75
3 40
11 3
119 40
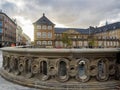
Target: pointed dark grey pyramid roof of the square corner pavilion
44 21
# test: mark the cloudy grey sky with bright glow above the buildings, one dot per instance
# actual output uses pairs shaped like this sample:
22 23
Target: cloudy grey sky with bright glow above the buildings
63 13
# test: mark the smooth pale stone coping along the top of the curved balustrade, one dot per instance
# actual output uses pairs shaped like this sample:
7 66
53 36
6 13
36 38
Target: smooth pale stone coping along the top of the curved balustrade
61 50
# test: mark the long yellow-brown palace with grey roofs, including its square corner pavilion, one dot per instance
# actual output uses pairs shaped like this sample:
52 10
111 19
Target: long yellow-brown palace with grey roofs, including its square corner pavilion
47 35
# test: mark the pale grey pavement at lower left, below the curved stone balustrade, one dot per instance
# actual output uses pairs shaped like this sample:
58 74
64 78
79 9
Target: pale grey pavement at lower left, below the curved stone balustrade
6 85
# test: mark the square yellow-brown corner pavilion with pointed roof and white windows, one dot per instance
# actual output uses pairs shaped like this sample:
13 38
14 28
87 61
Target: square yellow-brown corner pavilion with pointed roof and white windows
44 33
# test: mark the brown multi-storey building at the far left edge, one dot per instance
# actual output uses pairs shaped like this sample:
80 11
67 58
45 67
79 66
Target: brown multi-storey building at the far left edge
7 30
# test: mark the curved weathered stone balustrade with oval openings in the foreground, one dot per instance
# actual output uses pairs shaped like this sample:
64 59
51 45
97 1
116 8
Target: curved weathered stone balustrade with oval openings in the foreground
61 66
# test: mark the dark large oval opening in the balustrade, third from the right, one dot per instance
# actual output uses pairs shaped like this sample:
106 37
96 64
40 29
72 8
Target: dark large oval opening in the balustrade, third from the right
62 70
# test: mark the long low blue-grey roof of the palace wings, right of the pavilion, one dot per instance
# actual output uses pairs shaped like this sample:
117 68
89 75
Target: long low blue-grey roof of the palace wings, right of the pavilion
92 30
